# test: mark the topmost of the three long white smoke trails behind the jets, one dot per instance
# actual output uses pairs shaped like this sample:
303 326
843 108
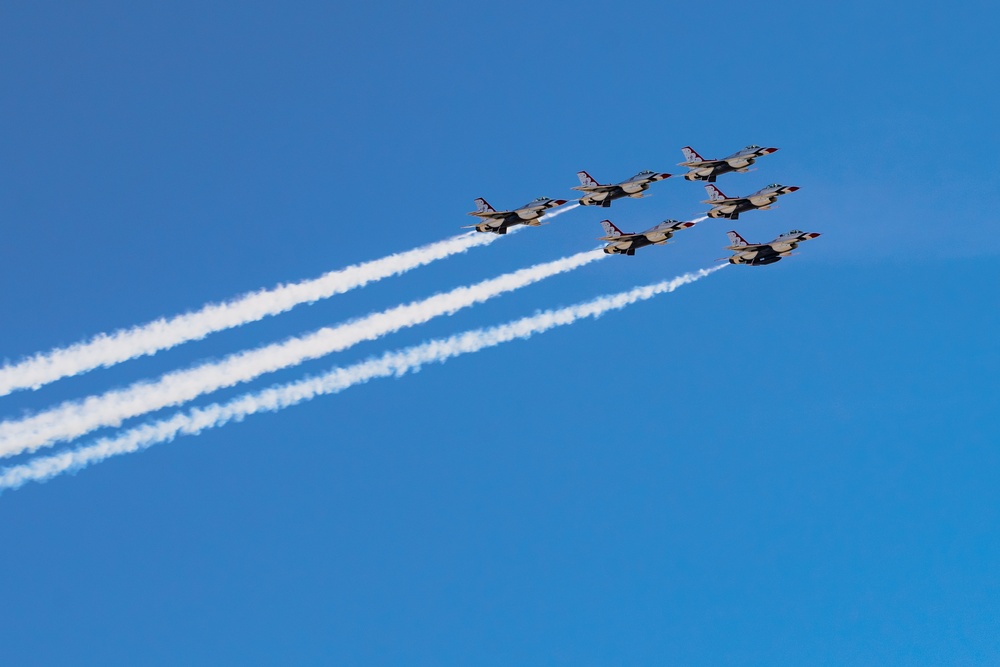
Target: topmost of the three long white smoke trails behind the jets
113 348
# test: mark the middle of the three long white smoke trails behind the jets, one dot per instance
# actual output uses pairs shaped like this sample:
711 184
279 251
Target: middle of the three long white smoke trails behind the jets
73 419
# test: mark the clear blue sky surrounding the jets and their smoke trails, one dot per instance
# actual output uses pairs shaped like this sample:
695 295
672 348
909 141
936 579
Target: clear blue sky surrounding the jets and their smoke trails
794 464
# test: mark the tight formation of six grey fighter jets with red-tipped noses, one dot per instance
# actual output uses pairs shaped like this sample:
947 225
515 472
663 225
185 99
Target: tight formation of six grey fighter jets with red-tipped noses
618 242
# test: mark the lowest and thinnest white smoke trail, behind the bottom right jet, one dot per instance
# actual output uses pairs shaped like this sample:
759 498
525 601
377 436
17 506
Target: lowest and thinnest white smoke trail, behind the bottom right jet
276 398
